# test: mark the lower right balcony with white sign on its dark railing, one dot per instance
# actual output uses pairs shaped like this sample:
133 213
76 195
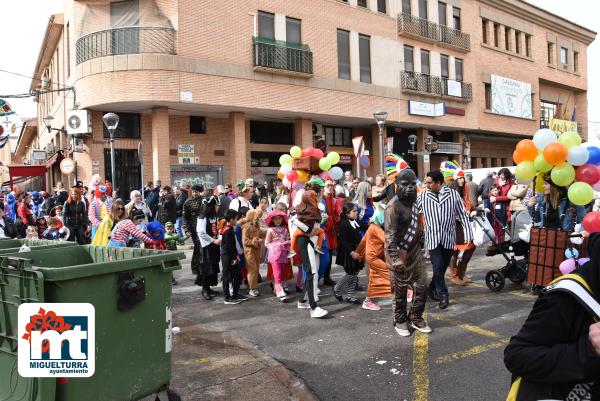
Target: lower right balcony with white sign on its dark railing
436 86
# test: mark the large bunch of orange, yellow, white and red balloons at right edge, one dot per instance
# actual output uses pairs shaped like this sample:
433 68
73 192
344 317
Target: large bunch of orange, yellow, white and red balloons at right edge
570 163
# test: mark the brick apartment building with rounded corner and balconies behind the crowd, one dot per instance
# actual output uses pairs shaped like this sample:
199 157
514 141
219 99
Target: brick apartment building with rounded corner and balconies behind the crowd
217 91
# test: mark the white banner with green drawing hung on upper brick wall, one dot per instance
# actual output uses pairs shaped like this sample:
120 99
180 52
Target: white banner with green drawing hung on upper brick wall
510 97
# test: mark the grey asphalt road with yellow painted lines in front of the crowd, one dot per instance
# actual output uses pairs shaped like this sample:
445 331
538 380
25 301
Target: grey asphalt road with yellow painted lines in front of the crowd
355 354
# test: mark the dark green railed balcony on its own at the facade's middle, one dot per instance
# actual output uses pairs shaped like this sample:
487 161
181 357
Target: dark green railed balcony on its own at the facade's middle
282 58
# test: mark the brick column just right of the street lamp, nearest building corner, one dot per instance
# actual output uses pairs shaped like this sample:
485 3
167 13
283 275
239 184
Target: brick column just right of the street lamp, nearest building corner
161 145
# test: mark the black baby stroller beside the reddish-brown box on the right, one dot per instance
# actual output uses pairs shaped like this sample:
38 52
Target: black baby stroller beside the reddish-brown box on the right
515 269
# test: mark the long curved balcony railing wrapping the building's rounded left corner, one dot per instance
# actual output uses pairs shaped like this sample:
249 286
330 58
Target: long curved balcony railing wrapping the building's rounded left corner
126 40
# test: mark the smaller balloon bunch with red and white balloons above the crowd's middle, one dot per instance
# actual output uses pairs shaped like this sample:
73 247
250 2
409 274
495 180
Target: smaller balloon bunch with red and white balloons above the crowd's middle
297 166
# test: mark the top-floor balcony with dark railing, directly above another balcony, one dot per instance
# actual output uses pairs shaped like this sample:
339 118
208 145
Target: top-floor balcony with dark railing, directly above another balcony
422 29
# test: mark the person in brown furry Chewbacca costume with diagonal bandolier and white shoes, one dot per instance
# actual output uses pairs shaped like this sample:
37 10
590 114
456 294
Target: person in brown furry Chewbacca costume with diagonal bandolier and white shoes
403 231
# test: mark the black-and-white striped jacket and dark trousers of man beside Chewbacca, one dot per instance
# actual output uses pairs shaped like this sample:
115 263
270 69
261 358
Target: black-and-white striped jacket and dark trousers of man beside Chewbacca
441 210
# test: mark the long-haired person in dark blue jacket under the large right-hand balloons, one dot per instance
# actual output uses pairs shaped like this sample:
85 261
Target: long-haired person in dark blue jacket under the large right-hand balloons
552 208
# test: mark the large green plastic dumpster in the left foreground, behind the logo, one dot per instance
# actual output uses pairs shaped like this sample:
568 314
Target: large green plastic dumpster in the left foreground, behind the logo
131 293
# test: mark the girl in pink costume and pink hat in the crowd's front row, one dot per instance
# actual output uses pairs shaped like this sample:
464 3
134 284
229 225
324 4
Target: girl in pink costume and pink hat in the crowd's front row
277 242
